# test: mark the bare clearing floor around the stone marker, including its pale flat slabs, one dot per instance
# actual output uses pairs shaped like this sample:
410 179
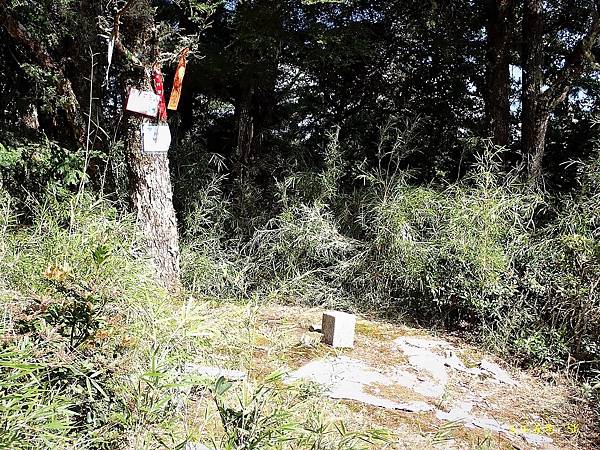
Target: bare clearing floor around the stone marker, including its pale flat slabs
429 391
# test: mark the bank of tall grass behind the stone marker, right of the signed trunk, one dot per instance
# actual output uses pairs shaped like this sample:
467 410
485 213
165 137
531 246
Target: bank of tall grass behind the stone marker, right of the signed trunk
515 267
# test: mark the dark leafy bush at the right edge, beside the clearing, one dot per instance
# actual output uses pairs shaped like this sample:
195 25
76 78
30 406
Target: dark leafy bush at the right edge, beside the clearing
561 277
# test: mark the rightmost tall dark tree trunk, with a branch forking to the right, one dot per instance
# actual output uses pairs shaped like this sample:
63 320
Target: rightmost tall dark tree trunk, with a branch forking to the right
534 116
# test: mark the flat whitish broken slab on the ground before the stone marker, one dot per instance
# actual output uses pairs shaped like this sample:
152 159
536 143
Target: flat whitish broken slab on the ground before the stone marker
430 364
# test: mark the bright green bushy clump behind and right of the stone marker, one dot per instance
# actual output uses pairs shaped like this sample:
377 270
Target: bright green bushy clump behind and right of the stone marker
449 252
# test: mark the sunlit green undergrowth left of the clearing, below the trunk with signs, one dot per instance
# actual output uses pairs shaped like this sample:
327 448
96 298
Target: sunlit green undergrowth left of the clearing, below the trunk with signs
95 355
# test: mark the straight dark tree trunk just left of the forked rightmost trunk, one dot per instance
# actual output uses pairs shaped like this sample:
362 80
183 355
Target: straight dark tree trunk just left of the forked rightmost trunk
497 98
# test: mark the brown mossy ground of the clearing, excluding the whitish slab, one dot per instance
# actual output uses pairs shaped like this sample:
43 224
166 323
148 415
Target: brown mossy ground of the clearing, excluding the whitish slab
262 339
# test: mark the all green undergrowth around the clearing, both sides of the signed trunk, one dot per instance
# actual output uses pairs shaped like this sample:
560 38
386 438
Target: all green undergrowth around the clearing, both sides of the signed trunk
94 354
